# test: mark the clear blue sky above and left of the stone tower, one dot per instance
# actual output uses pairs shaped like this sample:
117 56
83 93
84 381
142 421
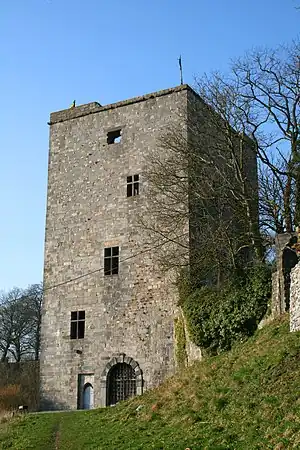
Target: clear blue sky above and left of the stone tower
55 51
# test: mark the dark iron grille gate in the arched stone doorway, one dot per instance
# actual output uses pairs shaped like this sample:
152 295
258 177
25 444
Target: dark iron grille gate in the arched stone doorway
121 383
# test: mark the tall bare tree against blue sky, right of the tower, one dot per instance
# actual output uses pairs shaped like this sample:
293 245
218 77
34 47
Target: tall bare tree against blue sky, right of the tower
268 83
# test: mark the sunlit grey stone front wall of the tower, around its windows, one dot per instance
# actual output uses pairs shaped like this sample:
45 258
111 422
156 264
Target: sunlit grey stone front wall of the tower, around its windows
128 317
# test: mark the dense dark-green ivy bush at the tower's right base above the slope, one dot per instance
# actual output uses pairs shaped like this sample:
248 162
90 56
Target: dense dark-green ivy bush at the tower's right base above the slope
218 319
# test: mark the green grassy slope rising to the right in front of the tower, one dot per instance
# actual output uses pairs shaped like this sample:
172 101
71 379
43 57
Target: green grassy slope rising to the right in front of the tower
247 399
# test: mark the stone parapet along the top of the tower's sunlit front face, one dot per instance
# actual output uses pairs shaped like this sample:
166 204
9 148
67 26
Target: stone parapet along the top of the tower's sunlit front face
95 107
